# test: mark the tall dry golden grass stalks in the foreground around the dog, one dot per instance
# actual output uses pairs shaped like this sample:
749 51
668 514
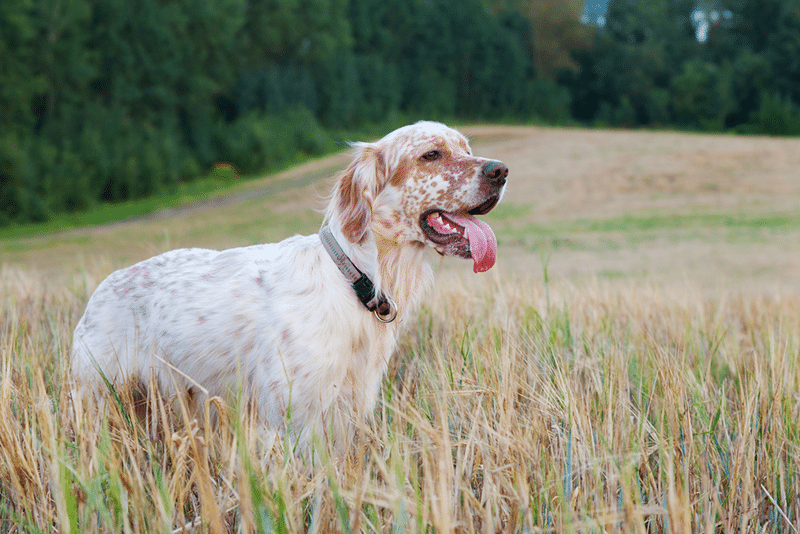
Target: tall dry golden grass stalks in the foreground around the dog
595 409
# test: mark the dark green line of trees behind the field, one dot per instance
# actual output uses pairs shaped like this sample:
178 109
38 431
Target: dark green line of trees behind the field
108 100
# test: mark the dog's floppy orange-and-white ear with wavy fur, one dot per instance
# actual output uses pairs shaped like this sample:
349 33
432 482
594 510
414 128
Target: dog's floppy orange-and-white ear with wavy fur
355 191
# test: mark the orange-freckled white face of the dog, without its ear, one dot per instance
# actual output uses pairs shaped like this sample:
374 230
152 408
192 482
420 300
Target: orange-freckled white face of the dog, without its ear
435 187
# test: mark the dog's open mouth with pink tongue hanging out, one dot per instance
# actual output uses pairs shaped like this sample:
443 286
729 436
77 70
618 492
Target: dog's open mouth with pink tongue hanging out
461 234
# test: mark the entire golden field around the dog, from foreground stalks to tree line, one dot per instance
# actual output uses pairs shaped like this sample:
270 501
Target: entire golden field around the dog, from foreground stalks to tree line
630 365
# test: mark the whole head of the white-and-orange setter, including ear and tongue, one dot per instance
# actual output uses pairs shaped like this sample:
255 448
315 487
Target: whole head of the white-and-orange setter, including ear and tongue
422 184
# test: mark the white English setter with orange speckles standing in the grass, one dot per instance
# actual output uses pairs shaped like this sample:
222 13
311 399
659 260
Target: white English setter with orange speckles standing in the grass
304 327
